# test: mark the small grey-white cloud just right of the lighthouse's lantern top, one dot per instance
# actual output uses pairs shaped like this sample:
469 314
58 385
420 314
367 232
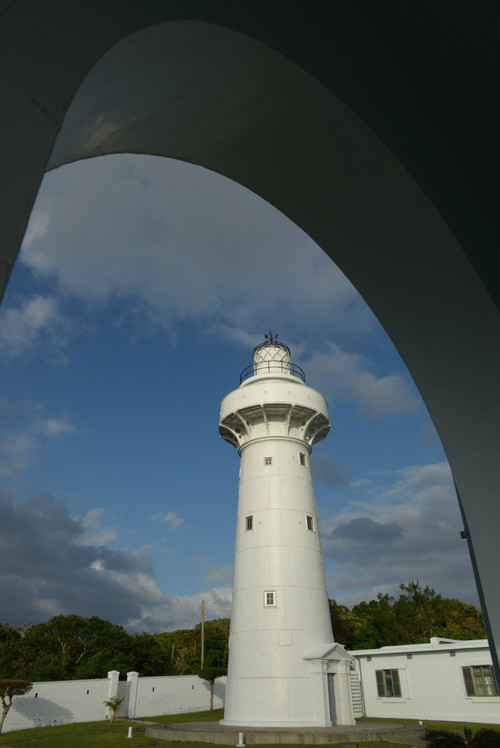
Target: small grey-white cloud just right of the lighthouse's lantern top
350 377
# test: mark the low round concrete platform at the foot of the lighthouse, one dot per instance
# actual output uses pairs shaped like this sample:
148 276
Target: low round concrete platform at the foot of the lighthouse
213 732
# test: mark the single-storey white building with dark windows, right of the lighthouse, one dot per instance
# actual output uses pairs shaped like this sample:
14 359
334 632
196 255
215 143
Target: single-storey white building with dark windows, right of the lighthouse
445 679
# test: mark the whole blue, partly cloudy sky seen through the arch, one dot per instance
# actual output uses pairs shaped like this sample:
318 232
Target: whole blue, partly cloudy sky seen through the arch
141 289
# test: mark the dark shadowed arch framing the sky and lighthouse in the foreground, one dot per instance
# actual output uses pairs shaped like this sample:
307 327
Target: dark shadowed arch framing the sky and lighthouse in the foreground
372 125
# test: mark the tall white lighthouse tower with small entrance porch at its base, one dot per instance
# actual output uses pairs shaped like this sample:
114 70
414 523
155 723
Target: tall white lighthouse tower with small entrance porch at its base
284 667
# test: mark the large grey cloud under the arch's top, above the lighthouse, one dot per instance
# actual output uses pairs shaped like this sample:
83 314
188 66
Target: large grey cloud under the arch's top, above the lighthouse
182 243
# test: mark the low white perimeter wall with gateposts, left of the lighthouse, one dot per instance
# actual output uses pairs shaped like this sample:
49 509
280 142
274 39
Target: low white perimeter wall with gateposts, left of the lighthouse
64 702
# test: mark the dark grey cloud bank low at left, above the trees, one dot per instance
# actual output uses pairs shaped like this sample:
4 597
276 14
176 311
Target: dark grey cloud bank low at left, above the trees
57 572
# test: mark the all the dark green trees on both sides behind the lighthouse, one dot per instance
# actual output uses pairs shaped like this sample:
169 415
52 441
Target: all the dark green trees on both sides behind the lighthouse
70 647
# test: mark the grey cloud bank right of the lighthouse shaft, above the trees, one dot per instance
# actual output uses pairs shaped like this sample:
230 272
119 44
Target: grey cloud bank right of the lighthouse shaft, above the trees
397 528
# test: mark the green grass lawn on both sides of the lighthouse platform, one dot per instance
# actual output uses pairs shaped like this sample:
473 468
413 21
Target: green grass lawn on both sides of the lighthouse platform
104 733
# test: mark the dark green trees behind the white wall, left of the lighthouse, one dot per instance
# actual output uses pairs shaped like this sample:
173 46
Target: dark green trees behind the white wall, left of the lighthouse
74 647
